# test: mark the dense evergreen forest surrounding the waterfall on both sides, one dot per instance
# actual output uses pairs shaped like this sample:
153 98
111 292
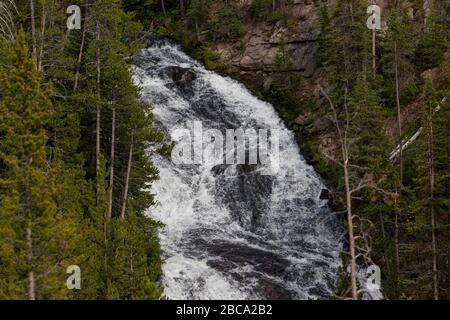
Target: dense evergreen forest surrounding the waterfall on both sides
76 142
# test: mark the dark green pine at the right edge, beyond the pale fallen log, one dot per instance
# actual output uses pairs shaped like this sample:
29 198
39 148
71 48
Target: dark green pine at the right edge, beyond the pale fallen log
430 203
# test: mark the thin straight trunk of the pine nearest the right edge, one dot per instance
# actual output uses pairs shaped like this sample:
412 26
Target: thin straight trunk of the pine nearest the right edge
433 218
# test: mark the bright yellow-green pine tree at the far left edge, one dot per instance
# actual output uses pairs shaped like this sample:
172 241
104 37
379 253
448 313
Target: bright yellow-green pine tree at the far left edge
38 234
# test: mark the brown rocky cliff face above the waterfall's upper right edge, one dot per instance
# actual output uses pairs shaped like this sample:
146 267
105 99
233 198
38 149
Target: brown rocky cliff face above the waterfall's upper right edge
255 54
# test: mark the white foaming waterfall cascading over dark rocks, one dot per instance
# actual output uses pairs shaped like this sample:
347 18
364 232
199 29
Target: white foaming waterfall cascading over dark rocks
231 232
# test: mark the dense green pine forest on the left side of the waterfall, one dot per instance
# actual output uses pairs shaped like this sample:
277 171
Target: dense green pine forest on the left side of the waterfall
73 165
